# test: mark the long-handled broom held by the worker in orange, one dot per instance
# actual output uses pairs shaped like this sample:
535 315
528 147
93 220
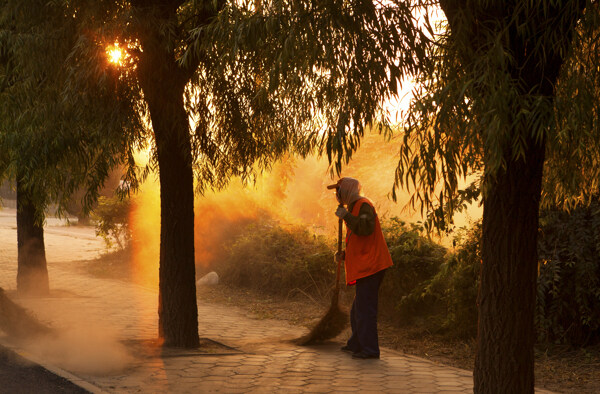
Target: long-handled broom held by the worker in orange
335 320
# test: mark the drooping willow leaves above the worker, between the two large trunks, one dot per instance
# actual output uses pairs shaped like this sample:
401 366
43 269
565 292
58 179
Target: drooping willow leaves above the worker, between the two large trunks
305 74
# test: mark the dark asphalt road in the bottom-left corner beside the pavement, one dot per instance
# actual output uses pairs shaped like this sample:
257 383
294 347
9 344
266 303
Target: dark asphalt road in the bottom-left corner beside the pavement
18 375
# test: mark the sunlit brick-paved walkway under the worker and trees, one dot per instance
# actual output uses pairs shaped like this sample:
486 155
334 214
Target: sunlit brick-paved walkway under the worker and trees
266 360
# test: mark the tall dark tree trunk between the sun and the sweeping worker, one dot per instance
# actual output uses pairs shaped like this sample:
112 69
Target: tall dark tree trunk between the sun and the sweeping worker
163 85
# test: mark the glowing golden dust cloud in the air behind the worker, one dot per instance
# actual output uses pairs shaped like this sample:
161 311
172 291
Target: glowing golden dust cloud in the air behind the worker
292 192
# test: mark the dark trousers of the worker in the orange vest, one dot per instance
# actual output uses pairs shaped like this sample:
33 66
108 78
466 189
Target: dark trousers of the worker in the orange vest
363 316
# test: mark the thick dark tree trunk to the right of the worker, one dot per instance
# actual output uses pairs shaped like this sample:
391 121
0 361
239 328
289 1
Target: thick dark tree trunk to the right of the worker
506 333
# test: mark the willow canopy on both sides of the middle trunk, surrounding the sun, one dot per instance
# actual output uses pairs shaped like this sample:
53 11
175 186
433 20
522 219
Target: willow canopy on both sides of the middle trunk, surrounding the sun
264 77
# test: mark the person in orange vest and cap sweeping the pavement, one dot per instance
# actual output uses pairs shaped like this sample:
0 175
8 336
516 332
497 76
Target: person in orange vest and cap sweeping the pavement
366 259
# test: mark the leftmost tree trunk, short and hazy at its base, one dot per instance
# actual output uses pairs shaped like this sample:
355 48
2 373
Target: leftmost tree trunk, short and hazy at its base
32 271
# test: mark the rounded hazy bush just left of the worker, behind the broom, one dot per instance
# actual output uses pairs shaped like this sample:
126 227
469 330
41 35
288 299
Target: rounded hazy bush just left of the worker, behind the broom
278 260
